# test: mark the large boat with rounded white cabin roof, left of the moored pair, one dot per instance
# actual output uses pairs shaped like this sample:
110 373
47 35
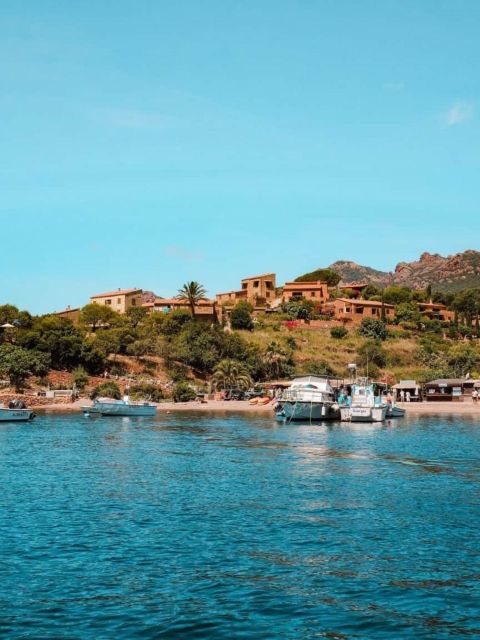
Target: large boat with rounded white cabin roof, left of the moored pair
306 399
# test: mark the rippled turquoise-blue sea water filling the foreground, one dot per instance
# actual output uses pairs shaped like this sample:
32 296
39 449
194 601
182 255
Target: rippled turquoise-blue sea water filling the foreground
200 526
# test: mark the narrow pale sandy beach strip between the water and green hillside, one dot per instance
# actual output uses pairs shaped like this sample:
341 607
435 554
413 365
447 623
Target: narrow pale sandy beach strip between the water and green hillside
239 406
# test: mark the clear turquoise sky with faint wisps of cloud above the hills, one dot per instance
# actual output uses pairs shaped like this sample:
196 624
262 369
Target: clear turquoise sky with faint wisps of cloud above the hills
149 143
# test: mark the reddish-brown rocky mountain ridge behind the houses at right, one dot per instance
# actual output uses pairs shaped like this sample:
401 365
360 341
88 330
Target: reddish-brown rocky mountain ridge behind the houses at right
450 273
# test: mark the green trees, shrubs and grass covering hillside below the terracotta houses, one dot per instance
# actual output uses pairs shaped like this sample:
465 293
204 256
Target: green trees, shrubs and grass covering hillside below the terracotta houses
179 349
